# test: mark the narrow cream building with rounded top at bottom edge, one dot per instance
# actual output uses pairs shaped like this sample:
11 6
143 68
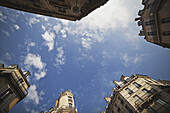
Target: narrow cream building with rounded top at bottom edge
64 104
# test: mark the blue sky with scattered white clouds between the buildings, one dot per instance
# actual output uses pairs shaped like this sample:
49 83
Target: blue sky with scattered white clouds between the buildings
84 56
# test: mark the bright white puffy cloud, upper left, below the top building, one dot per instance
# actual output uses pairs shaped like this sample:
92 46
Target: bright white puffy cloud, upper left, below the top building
49 38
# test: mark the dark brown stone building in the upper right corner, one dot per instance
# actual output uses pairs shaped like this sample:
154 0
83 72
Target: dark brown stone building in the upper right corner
155 21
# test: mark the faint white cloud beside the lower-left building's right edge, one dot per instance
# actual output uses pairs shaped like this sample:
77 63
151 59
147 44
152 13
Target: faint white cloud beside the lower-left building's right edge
32 94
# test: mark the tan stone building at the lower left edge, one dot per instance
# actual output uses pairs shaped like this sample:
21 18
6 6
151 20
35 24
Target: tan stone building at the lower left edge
13 86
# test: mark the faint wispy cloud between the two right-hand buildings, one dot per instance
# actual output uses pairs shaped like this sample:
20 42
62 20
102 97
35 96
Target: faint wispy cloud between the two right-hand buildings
127 60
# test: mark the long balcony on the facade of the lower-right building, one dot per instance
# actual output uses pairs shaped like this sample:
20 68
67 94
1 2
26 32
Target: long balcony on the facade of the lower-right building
146 99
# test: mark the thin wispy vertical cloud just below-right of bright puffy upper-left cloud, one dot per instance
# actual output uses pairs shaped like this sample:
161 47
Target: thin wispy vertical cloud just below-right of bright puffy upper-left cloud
60 56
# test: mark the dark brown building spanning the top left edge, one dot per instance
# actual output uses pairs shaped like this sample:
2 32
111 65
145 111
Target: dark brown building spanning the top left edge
65 9
